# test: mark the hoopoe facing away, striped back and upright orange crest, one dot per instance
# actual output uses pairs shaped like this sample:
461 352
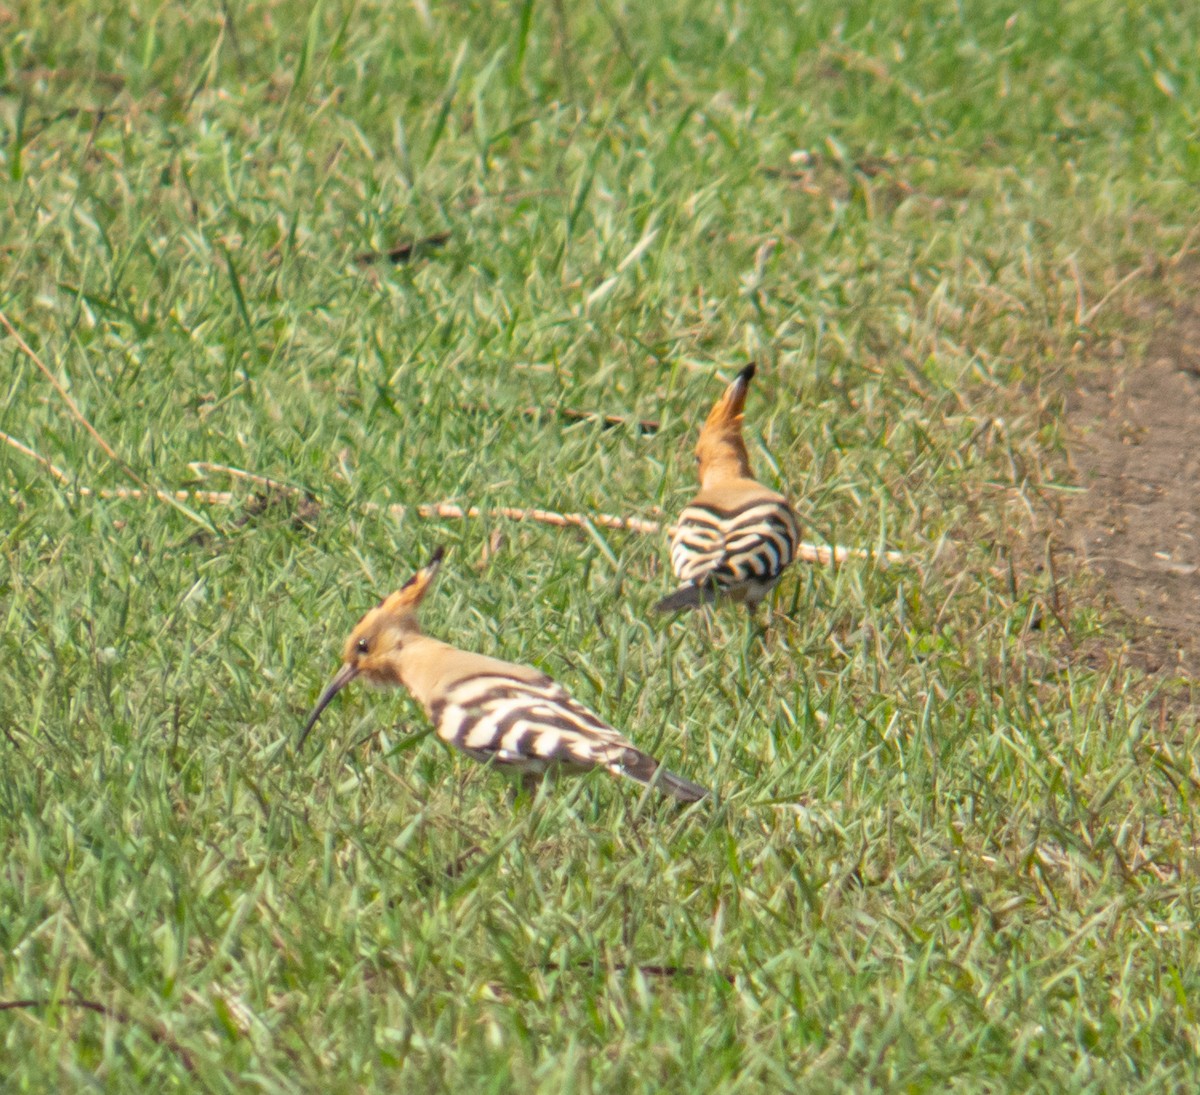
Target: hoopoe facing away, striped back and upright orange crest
736 537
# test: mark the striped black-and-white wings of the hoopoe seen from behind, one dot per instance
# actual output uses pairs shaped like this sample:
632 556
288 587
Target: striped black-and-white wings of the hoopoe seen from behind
729 549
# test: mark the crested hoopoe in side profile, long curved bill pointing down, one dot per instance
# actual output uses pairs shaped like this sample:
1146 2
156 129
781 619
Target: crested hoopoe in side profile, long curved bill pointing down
495 711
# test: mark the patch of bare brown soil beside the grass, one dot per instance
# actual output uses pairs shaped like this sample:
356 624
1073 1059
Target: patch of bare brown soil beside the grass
1137 451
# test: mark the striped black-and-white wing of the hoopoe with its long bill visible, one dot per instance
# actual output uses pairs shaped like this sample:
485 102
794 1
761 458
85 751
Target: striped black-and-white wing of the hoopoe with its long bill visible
530 726
